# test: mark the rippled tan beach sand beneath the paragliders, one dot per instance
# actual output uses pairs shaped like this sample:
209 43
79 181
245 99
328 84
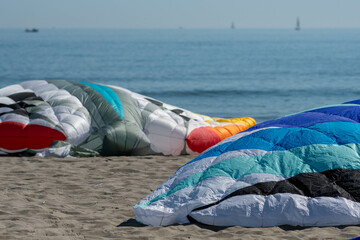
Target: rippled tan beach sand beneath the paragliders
92 198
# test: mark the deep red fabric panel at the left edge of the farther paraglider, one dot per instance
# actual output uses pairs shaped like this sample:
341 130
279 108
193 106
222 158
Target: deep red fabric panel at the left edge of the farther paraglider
16 136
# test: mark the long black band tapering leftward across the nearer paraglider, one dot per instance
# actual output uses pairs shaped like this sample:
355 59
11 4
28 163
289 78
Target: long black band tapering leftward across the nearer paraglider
333 183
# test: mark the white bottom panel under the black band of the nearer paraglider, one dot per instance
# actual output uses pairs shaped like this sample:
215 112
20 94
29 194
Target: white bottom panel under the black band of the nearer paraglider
280 209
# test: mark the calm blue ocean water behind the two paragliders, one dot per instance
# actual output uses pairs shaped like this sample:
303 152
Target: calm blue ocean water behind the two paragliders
264 74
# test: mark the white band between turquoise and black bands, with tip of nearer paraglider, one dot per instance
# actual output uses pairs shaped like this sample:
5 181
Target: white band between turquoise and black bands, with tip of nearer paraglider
179 204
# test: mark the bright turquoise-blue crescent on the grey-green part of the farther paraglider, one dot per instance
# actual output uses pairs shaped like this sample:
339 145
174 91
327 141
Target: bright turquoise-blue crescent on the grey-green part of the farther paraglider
110 96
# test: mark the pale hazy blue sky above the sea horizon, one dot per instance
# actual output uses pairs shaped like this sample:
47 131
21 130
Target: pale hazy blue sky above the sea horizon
179 13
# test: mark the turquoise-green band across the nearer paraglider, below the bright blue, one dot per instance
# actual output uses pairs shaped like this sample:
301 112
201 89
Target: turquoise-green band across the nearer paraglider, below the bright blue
319 158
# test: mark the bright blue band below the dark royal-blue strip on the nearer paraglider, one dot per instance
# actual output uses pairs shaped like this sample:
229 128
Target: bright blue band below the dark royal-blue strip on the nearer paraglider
277 139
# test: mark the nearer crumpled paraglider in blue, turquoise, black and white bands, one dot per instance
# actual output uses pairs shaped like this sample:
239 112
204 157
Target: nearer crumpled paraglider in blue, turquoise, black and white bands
302 169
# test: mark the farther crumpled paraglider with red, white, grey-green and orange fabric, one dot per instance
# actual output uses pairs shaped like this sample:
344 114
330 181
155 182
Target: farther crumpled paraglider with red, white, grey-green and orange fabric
62 118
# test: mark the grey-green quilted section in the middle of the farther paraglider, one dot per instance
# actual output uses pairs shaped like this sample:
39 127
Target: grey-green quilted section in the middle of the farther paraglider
118 136
